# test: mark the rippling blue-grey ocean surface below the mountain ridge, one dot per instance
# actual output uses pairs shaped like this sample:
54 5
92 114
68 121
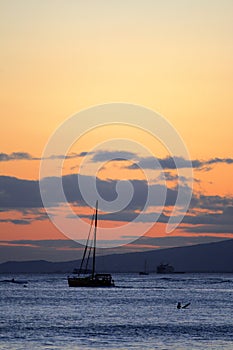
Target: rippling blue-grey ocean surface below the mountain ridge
139 313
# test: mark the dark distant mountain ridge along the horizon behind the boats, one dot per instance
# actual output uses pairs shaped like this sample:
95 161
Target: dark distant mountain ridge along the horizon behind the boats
208 257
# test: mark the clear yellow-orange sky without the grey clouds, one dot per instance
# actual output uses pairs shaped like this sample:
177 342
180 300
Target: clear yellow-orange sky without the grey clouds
60 57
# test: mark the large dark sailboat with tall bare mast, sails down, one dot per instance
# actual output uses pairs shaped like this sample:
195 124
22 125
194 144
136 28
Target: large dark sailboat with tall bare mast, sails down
94 279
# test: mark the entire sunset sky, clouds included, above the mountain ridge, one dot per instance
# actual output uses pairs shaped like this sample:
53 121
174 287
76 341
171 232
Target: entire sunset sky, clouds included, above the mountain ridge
61 57
